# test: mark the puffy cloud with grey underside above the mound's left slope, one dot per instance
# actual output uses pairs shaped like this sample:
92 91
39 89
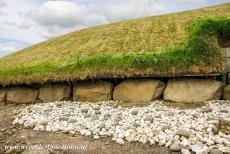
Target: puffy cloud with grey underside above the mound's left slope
57 17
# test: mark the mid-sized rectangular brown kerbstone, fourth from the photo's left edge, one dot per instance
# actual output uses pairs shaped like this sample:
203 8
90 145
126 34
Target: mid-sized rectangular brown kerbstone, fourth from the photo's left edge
93 91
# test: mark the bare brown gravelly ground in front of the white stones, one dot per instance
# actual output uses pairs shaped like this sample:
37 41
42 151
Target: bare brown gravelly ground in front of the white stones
17 136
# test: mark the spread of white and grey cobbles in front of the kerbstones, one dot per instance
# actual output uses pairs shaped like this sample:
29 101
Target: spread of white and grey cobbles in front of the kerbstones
180 130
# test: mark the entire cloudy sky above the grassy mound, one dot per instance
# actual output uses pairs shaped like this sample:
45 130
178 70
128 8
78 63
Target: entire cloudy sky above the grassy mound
26 22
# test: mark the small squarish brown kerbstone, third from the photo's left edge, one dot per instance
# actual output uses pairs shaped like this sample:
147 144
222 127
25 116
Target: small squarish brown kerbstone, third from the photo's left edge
52 93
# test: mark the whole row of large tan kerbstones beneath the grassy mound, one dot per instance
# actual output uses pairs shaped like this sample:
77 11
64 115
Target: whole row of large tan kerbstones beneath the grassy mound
133 90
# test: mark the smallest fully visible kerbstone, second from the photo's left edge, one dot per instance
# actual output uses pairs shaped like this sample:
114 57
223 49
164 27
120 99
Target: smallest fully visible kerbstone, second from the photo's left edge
22 95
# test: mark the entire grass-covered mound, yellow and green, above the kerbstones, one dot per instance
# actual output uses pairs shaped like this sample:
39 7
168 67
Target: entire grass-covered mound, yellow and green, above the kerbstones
184 43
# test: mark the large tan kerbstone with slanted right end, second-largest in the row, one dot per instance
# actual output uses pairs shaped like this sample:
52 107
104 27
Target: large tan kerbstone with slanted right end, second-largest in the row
143 90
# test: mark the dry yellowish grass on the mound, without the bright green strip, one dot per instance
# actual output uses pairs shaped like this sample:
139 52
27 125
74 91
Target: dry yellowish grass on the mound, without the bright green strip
146 35
